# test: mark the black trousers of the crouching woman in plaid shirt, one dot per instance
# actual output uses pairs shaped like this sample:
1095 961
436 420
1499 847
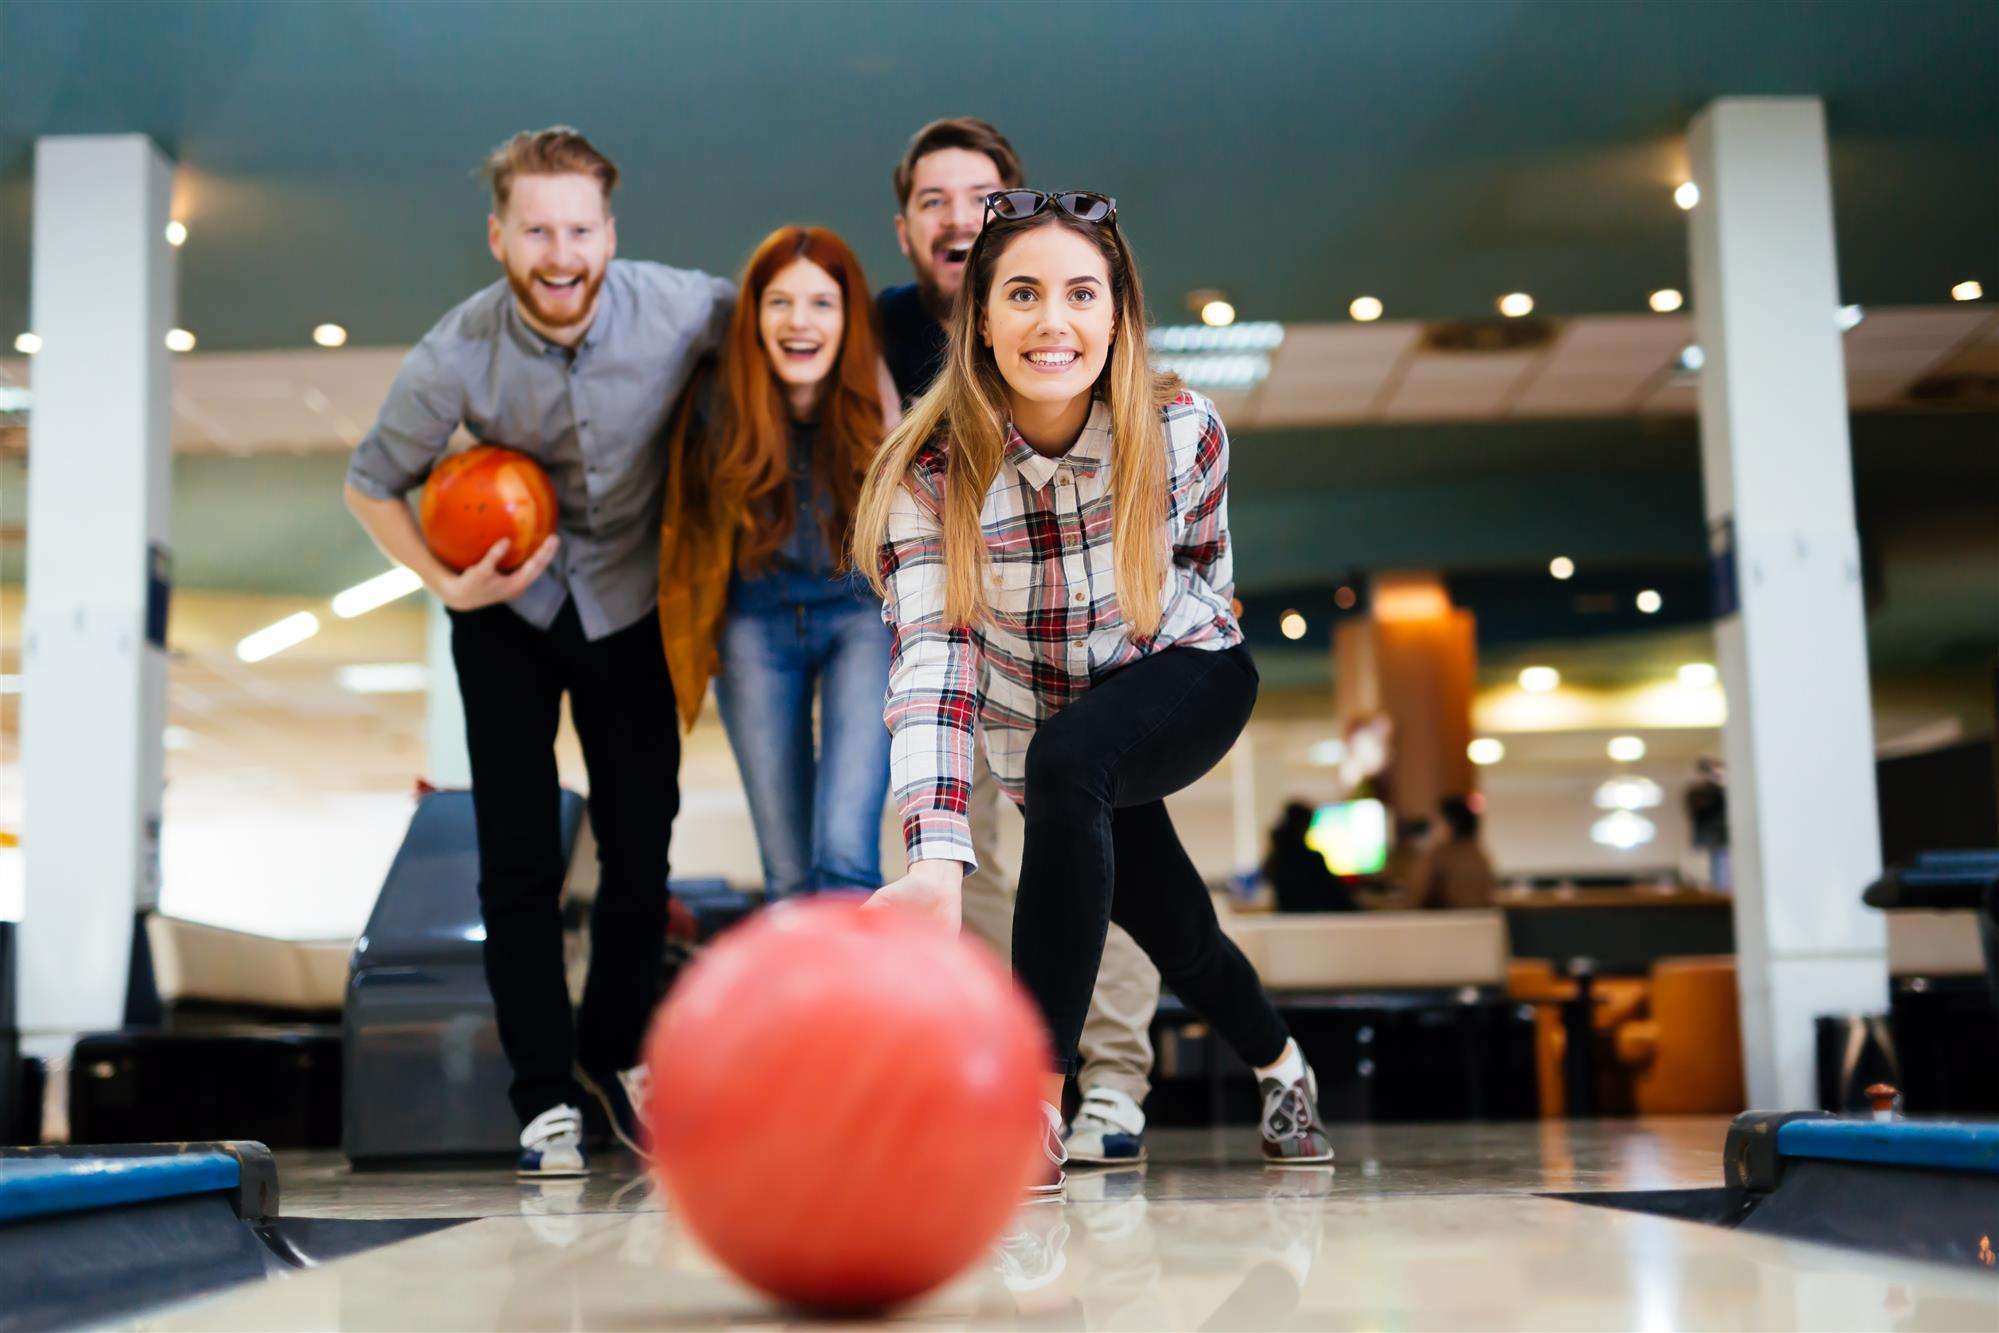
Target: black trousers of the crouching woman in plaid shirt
1100 848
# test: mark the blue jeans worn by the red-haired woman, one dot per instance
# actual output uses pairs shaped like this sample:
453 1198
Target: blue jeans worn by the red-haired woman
819 818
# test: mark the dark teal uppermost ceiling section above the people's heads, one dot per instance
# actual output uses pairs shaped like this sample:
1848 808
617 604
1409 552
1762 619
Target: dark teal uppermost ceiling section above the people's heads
1294 155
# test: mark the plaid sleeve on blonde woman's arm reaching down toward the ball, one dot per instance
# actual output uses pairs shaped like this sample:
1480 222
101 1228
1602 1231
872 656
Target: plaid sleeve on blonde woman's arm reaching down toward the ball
933 688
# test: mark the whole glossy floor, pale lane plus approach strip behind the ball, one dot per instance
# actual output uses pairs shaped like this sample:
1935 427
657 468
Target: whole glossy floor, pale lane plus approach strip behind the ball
1418 1228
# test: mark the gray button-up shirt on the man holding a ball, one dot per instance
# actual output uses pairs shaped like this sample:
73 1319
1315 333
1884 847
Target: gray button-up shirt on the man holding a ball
591 417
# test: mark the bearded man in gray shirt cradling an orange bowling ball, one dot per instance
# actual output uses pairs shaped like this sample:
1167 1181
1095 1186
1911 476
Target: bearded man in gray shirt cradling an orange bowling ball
575 359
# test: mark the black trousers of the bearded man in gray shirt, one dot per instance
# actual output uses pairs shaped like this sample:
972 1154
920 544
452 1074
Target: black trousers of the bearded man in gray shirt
513 678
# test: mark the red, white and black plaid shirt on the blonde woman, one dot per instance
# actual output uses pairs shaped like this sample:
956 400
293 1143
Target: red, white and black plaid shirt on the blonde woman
1054 627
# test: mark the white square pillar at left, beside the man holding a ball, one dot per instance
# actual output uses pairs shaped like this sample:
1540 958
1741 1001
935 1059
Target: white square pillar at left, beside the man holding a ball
95 655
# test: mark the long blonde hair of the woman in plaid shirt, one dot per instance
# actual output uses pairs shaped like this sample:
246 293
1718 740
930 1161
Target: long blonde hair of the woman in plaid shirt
967 411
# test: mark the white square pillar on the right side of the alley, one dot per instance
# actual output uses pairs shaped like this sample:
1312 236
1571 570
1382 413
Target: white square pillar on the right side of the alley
1794 649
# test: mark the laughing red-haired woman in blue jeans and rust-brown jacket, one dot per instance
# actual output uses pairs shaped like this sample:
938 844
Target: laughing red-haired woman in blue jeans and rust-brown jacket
757 589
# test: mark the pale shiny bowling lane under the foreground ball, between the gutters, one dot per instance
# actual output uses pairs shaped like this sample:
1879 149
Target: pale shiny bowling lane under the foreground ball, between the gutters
1288 1250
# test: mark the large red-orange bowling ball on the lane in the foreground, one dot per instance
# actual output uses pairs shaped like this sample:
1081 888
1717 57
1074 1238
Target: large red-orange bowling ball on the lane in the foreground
847 1104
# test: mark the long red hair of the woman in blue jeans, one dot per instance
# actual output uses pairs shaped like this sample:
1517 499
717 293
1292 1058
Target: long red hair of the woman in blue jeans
747 451
